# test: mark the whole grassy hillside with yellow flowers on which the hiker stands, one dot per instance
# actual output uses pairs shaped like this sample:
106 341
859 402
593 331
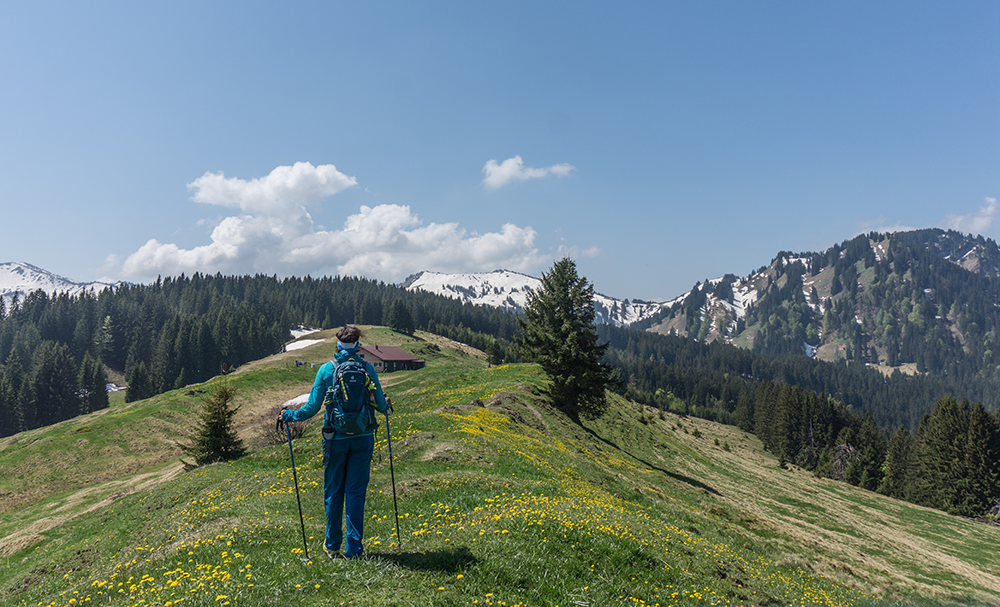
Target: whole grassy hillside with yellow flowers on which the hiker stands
502 501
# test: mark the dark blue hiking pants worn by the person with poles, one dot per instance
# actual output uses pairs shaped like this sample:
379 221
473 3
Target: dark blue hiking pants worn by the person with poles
347 464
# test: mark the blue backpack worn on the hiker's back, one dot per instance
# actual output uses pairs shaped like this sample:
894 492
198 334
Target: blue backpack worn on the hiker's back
348 400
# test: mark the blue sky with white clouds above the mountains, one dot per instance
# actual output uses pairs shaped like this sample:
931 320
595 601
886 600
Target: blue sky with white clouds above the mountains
657 143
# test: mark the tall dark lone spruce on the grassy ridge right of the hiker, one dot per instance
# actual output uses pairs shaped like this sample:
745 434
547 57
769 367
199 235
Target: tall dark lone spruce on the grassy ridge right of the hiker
559 334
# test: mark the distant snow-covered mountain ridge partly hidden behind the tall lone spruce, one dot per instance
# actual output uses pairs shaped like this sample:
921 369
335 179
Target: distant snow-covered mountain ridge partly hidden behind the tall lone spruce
509 290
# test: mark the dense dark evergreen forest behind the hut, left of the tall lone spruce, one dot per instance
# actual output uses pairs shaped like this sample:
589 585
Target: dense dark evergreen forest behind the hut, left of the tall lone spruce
178 331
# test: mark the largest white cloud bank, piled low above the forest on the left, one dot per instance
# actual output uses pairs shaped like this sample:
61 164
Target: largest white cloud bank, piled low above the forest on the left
274 234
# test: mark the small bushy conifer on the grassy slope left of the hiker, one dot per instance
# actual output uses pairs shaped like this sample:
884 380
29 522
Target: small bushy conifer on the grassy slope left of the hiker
216 439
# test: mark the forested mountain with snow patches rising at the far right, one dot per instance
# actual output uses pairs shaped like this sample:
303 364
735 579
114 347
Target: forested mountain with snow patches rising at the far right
921 301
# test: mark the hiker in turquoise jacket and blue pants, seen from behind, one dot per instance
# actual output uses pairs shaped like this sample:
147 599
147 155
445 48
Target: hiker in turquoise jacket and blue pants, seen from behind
348 437
